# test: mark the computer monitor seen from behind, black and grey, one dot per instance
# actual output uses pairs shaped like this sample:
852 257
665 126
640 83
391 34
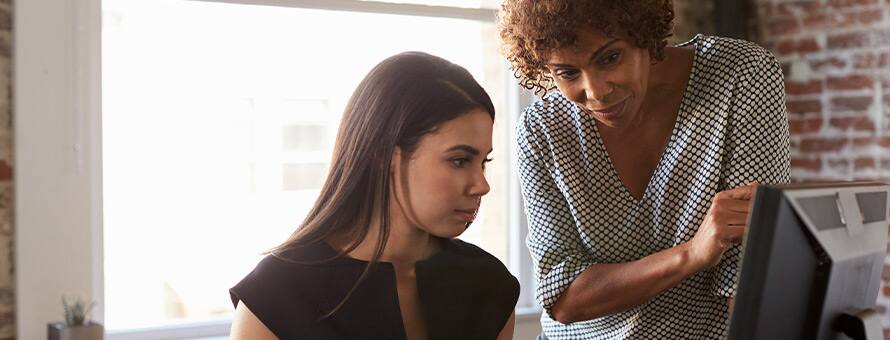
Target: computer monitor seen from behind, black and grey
812 262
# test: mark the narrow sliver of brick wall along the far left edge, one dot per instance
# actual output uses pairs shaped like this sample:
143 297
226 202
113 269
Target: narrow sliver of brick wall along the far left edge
7 291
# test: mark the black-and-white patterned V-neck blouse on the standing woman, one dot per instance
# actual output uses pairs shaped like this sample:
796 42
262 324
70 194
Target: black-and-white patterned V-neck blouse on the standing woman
731 129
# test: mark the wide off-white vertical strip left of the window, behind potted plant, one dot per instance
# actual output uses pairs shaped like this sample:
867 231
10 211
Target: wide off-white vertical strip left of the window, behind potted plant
56 159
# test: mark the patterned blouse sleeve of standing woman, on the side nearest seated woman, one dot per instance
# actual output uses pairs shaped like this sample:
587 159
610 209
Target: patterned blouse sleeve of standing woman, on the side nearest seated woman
553 239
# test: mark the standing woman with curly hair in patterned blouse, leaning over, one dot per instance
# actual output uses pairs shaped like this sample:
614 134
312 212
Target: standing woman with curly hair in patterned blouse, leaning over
638 168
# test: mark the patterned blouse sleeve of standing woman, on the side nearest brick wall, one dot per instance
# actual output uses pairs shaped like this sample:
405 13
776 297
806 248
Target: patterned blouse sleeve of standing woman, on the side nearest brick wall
757 144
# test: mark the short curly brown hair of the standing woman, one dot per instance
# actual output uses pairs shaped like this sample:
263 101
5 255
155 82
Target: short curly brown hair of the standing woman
531 29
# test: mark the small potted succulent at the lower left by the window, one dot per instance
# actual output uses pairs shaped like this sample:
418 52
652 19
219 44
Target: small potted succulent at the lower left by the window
77 325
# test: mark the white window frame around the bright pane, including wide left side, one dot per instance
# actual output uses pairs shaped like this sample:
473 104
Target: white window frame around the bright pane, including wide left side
56 75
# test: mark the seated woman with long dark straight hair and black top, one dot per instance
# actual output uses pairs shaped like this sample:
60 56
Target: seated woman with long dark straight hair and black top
376 256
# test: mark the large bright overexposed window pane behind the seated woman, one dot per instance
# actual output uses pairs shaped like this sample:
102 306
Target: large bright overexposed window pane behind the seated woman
218 126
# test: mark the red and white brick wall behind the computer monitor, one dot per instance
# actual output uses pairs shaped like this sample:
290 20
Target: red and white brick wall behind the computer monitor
836 58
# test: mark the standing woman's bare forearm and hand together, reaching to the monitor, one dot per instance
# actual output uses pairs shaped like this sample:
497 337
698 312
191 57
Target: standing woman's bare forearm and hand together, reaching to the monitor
602 289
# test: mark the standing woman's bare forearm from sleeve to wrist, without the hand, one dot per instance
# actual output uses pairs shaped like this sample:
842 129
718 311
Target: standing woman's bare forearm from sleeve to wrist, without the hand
604 289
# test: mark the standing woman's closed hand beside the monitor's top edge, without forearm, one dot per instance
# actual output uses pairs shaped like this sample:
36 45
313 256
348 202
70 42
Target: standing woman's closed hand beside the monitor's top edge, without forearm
724 225
